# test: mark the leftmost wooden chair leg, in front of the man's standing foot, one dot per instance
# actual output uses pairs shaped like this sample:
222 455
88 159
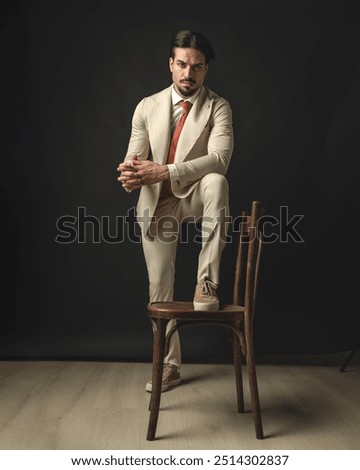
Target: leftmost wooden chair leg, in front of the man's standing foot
159 332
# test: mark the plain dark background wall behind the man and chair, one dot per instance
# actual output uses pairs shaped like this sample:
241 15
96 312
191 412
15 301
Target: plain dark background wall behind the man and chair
72 73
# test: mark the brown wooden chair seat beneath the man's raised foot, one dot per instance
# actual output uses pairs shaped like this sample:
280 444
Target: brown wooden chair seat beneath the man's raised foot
184 310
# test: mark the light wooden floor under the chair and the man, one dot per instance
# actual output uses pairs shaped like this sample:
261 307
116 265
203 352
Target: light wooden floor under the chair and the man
102 405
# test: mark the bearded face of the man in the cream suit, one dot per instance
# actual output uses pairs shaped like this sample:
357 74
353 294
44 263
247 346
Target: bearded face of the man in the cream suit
188 70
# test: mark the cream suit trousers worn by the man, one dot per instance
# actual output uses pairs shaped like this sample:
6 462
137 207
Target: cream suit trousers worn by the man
208 204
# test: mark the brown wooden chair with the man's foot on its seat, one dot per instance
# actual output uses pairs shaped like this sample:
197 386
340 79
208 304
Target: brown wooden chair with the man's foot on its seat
237 317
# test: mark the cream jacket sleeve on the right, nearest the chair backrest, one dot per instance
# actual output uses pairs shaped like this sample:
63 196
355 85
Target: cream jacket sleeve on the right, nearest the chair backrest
219 147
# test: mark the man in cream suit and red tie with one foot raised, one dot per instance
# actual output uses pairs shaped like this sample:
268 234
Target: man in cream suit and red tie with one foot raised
178 153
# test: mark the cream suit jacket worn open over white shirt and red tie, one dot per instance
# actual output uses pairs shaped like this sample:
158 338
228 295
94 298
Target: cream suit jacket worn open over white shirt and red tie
205 144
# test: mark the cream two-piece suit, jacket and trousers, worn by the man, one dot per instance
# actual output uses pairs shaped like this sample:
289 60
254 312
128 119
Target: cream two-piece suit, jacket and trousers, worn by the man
202 159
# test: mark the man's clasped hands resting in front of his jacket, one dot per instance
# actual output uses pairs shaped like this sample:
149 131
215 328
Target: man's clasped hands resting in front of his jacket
135 173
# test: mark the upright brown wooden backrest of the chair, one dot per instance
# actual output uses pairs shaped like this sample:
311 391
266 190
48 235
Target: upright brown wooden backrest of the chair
247 262
